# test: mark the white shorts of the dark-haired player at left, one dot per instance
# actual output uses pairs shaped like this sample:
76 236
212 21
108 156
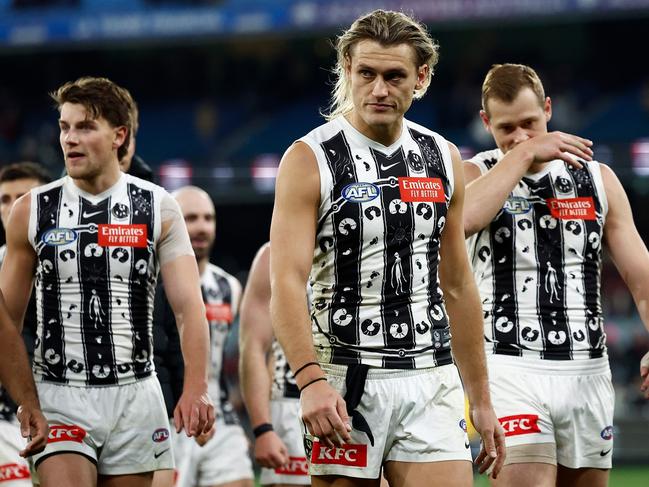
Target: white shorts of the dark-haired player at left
121 429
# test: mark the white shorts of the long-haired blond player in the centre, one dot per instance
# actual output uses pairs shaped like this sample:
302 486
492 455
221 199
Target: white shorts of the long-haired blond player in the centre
414 416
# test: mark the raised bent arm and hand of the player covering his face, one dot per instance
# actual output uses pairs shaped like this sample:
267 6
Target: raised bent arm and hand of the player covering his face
485 194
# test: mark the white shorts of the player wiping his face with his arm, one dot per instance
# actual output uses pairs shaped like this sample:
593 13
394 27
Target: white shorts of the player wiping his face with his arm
573 411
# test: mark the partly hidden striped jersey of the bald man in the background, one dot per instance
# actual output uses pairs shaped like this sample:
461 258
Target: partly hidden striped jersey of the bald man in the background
221 295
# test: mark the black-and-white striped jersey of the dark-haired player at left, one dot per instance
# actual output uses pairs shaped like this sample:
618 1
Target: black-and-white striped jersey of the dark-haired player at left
97 266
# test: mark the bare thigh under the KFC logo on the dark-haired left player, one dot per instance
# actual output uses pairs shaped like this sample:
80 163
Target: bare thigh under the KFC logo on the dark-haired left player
67 470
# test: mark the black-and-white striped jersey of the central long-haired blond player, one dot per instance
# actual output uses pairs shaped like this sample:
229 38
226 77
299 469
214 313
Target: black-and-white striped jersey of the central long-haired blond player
376 293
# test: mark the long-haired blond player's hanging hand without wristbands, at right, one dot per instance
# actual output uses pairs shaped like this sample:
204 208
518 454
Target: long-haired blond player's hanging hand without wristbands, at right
493 440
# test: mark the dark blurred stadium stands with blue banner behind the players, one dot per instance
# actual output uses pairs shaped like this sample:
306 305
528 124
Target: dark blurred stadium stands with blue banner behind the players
225 86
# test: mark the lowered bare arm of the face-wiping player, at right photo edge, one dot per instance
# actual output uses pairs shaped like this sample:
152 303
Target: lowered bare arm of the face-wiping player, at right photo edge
628 252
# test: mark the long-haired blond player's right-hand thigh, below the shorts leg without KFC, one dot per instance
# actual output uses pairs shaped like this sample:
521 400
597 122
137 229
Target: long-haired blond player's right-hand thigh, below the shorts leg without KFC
451 473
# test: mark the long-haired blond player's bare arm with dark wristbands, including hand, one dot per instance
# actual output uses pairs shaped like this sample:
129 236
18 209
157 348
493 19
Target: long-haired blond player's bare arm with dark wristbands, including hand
292 237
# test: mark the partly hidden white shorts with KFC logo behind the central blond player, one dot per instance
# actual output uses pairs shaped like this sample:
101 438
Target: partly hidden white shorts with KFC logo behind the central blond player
285 415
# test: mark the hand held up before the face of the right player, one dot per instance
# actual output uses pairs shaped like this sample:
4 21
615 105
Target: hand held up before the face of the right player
558 145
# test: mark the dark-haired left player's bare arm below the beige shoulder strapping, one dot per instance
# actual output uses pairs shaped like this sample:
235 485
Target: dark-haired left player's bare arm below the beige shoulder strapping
194 411
